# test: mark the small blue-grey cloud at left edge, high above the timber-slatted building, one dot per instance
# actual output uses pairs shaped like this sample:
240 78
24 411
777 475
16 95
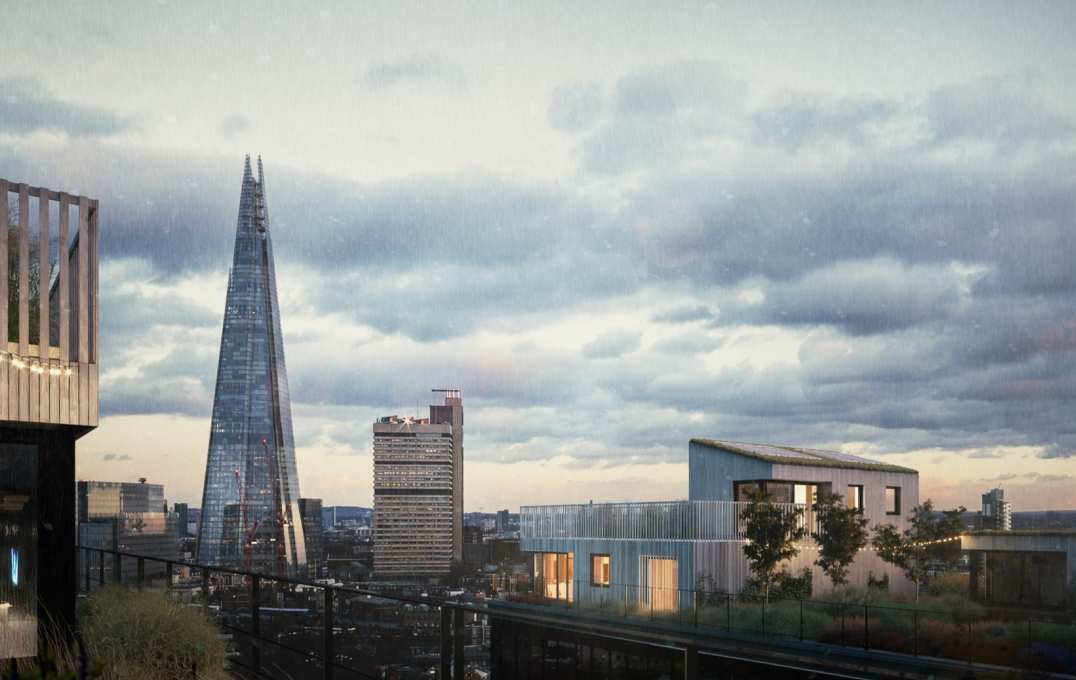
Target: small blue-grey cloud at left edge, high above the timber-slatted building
26 107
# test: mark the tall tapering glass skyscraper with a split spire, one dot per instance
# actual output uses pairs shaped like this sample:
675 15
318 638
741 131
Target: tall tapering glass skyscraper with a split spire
250 513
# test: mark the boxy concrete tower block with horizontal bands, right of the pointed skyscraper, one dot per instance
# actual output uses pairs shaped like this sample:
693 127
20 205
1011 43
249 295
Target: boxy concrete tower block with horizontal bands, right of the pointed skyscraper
418 492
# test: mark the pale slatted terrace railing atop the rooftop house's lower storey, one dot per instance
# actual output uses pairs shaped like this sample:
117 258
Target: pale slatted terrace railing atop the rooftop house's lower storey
679 520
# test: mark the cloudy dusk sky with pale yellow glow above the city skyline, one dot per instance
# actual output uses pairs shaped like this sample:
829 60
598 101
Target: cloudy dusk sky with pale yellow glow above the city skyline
615 226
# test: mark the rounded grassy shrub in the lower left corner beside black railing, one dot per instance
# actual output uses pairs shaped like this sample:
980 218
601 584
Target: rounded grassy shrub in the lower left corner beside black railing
141 635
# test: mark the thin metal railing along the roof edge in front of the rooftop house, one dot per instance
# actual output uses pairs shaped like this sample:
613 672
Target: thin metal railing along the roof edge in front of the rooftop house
996 636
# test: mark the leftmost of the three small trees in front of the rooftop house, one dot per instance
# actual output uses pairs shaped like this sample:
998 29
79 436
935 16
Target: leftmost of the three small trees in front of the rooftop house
772 534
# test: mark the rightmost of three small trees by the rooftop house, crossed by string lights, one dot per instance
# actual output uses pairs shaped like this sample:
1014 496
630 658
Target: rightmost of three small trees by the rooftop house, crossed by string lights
930 537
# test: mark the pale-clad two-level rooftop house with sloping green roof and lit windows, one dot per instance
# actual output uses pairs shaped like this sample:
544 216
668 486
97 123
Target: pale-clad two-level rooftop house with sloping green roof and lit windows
656 554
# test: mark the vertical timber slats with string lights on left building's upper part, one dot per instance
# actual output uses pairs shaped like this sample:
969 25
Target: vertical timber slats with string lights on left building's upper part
49 355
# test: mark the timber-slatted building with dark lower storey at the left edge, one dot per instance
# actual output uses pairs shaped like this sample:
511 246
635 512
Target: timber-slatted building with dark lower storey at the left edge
49 315
